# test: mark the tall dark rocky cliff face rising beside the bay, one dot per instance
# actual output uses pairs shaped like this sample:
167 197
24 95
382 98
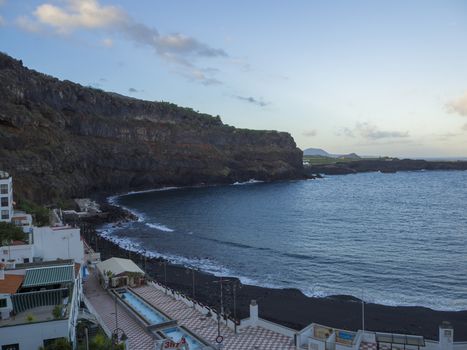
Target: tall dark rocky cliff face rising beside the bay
59 140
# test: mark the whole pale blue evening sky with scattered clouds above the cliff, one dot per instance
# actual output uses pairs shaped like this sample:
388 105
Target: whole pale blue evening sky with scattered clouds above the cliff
373 77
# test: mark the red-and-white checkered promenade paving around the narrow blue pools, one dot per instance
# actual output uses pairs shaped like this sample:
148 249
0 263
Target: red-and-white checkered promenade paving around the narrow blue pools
192 324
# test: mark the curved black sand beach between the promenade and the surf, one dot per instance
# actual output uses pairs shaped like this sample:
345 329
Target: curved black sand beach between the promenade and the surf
289 307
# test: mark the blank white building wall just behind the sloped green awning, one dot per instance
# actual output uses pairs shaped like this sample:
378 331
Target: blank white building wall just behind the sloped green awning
51 243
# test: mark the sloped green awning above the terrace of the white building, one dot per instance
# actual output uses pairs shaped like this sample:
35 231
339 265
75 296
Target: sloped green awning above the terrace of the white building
48 275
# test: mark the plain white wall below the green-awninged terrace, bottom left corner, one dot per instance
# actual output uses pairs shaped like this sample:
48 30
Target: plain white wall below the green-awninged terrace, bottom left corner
32 335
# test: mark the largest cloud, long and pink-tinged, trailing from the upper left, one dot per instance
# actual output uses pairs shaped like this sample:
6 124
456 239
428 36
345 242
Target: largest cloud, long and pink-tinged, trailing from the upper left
179 50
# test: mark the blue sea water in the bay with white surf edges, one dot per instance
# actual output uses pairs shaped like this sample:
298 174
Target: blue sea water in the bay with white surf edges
400 239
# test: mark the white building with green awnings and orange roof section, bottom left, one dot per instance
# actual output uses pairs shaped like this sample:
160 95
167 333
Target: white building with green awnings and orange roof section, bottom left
39 304
